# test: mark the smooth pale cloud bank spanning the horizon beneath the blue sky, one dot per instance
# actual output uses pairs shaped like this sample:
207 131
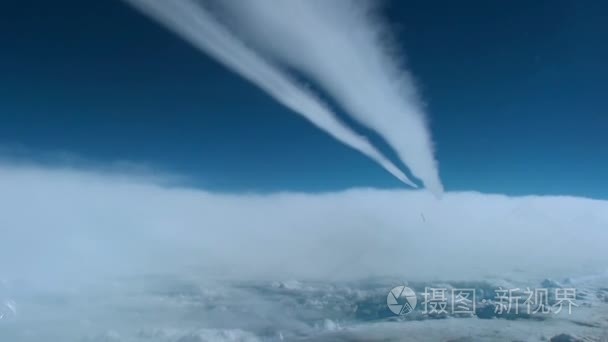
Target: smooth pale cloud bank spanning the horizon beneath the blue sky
64 226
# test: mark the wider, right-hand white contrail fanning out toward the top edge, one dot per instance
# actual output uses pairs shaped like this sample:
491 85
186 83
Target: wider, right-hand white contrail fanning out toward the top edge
343 47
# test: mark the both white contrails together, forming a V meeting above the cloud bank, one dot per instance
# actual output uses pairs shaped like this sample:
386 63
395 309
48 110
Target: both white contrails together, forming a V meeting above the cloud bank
334 43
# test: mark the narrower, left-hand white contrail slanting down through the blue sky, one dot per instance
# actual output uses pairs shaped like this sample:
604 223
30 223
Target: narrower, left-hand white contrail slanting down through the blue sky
197 26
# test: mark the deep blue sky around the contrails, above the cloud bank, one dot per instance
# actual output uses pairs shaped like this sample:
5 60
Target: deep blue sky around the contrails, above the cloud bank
515 93
